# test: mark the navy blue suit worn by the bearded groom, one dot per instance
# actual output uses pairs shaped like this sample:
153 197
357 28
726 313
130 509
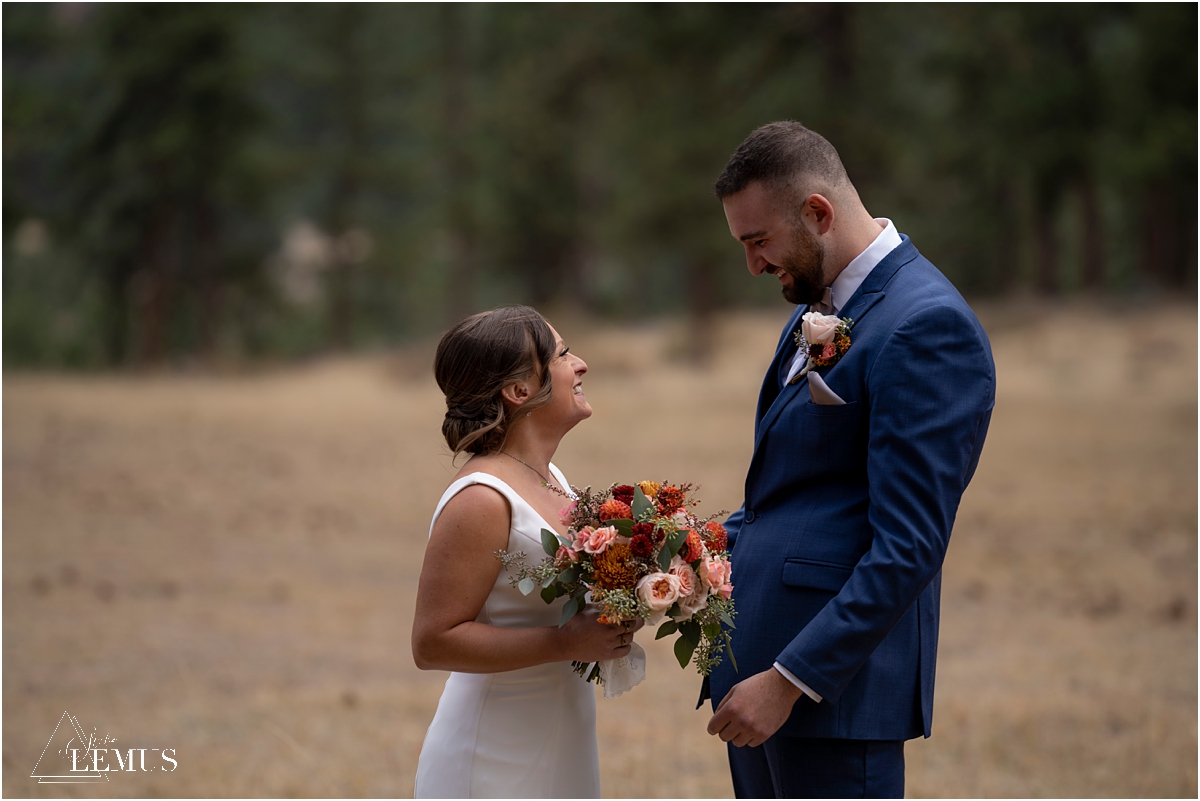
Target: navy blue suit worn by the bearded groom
838 549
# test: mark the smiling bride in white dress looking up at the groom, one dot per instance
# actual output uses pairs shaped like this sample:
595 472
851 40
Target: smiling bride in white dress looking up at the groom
514 719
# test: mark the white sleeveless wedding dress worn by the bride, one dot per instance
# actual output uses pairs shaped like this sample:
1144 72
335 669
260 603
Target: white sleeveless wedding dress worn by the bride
527 733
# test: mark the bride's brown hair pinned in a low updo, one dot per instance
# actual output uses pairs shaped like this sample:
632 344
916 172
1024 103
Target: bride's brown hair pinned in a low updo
481 357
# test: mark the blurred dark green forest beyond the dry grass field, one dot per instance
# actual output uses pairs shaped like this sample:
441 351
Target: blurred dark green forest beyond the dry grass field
221 184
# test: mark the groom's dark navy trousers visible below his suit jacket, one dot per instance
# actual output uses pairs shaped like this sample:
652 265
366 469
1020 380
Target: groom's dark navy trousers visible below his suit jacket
806 768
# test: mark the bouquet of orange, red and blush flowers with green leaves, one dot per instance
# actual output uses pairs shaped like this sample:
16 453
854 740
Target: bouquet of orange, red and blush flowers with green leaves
639 552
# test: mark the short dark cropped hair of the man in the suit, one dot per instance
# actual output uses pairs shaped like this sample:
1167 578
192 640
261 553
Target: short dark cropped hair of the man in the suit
782 155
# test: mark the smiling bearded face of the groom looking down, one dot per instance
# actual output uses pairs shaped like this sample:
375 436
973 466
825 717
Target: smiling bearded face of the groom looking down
777 243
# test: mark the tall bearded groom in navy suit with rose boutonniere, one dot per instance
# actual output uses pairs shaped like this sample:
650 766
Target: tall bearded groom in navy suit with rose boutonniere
860 462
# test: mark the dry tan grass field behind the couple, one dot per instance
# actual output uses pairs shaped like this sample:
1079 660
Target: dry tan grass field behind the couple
226 565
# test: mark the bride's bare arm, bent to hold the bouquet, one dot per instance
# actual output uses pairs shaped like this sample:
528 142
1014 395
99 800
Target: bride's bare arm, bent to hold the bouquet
457 579
